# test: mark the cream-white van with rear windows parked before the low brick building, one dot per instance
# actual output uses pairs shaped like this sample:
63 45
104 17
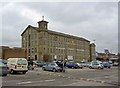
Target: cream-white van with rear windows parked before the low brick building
17 65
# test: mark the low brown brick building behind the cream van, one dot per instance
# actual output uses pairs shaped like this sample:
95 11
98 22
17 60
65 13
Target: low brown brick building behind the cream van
7 52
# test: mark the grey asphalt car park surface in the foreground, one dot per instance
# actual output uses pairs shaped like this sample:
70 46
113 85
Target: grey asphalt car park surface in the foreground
72 77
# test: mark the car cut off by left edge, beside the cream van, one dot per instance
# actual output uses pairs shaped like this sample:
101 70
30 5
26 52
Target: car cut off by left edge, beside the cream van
4 70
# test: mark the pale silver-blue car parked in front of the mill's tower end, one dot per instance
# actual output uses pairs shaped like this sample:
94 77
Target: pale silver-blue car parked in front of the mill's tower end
52 67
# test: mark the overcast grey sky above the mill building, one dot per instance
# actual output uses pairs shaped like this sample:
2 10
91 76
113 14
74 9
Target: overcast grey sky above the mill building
91 20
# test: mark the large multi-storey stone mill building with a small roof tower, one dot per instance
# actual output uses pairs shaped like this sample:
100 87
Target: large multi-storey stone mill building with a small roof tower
46 45
